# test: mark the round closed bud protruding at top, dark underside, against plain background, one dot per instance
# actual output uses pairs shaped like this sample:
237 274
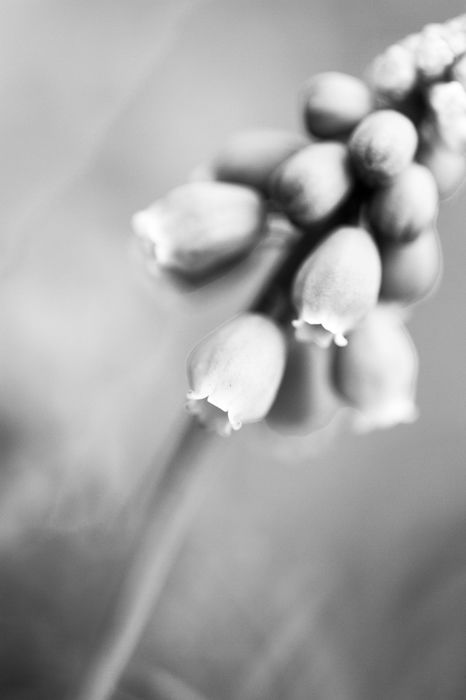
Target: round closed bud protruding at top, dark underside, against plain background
334 103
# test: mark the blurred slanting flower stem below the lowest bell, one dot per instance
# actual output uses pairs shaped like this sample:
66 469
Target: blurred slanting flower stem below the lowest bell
172 500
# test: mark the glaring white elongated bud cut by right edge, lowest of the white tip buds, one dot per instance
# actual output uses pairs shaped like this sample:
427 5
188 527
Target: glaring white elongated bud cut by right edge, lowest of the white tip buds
447 107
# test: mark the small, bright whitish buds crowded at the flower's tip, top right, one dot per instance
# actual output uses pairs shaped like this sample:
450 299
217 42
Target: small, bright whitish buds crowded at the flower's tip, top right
424 76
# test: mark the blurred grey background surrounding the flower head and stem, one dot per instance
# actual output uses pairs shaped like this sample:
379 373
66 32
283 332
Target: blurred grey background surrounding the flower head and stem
325 569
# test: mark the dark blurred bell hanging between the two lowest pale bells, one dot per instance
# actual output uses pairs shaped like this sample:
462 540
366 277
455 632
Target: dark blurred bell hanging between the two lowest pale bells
305 401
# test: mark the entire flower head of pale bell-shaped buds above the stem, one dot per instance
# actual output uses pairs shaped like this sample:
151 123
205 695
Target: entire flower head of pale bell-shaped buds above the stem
360 190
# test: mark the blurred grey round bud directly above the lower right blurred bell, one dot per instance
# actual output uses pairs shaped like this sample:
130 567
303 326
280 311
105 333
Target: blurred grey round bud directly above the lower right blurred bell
411 271
